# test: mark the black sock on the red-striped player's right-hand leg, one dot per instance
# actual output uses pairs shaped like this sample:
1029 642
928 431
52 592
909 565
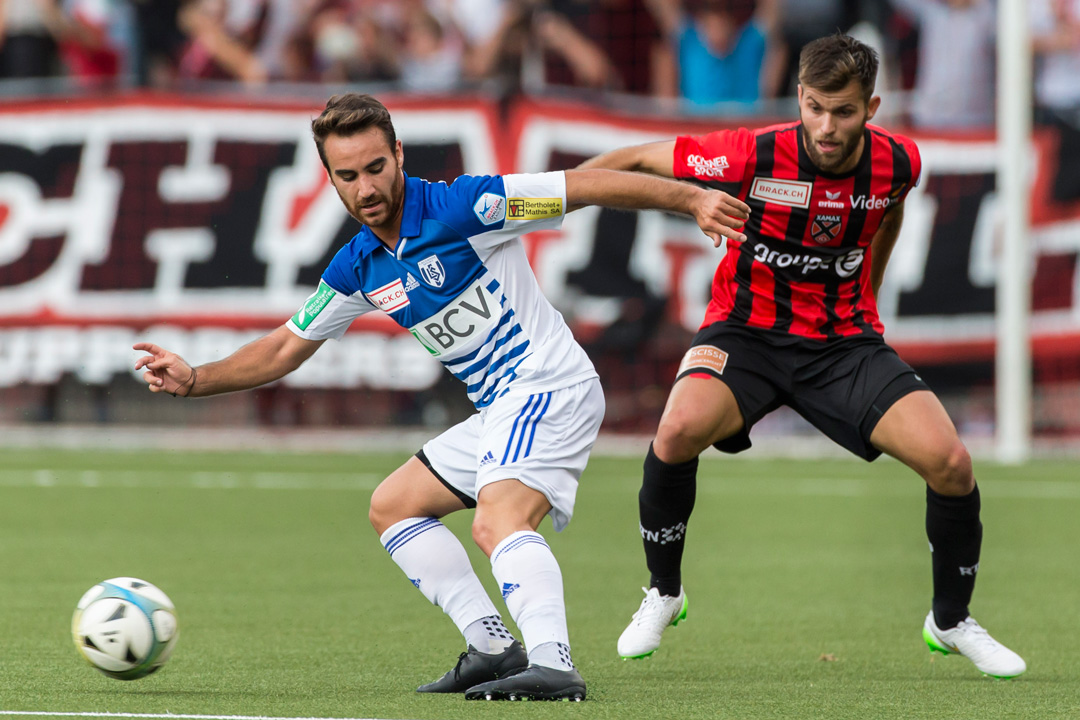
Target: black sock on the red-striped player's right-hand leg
956 537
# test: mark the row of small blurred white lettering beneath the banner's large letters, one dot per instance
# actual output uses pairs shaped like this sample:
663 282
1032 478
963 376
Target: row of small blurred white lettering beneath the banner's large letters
97 355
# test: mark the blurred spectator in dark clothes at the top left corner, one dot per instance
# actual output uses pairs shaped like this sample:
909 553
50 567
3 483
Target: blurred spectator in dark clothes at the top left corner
28 49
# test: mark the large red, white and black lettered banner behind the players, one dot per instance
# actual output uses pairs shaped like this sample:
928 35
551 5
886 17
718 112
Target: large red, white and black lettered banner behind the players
201 225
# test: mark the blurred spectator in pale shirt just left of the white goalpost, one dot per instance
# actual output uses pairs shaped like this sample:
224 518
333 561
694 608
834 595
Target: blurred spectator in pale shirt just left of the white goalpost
954 84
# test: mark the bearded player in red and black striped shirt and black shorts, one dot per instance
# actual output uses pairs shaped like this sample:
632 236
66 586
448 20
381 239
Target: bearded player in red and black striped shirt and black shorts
793 321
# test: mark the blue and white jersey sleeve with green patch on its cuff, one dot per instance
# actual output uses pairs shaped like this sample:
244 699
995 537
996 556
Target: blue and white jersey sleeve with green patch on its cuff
336 303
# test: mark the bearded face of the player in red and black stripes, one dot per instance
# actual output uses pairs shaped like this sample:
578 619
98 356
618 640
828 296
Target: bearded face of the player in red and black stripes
833 126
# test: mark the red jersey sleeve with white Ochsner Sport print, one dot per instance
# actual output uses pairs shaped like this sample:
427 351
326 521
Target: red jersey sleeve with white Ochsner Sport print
720 159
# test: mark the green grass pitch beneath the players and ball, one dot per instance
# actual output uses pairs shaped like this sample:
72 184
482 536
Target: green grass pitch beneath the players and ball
808 585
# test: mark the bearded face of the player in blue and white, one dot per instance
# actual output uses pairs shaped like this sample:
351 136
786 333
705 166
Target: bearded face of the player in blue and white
367 173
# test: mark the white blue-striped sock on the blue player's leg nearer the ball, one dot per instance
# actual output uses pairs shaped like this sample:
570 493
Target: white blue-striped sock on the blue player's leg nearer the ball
435 561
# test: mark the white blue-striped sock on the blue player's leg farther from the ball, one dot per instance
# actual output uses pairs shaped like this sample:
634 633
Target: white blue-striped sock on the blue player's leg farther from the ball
532 586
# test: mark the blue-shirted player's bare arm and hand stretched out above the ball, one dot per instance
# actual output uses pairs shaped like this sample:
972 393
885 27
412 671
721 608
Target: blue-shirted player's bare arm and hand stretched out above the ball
266 360
